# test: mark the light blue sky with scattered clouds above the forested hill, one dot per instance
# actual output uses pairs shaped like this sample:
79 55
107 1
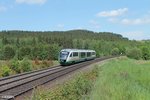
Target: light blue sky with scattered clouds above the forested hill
130 18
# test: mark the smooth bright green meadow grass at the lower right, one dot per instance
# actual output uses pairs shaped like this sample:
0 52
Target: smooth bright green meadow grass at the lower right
123 79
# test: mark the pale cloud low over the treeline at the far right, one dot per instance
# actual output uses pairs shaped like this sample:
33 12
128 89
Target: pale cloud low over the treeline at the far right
136 35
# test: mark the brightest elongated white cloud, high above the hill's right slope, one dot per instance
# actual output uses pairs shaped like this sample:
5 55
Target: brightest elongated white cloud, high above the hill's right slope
112 13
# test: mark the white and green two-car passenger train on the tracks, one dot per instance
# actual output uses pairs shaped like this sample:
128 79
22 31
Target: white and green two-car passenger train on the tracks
72 56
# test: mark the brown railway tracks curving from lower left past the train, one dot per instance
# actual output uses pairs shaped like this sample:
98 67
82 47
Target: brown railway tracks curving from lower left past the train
13 86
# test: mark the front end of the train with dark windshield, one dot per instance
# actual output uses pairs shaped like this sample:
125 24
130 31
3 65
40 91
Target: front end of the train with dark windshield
63 57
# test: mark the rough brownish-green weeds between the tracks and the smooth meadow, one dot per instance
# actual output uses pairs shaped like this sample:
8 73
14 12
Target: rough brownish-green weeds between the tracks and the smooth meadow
76 88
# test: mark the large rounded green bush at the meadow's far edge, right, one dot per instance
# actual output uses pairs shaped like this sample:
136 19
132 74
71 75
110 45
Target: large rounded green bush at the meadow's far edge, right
134 53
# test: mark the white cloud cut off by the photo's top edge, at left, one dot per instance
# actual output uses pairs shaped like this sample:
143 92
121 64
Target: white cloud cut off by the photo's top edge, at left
31 1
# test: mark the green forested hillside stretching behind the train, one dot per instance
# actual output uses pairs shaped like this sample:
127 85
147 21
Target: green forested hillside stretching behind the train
46 45
